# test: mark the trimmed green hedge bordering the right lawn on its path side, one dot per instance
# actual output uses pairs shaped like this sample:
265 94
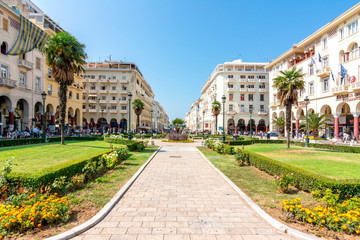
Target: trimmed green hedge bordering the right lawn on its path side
303 179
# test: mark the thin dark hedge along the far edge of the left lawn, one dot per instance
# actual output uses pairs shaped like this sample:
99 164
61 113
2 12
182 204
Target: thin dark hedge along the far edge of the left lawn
26 141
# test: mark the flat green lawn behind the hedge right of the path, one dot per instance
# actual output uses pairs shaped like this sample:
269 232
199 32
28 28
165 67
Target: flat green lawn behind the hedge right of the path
331 164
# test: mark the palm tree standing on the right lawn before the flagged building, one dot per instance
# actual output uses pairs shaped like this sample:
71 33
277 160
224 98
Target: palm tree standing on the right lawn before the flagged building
288 85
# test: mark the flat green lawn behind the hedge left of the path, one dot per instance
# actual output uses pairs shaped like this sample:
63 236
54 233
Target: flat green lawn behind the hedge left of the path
34 157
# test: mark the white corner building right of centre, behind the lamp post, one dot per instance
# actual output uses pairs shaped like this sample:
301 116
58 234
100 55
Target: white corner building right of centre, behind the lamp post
245 86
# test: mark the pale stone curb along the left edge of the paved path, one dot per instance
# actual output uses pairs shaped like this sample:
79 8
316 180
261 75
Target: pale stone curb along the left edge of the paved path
105 210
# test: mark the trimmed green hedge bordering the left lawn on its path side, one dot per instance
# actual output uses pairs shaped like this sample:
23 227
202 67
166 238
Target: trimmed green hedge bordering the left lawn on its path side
48 175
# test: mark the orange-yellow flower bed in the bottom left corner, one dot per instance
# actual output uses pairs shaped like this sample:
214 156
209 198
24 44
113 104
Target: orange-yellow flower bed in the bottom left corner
25 212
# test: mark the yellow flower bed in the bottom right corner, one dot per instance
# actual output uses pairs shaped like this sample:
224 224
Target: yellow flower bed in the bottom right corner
345 217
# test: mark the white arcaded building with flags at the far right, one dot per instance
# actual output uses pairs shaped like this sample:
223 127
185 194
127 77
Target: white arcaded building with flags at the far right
331 91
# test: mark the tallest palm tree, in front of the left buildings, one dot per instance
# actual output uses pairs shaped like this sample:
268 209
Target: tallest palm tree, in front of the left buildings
65 56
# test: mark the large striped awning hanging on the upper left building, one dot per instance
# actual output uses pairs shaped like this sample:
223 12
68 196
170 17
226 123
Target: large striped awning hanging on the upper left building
30 37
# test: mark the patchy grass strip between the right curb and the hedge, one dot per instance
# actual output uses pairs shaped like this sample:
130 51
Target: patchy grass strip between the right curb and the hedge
258 185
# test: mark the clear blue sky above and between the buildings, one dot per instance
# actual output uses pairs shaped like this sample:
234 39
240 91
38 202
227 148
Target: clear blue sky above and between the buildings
177 44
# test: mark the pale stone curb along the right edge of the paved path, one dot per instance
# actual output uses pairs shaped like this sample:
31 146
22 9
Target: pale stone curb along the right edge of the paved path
276 224
